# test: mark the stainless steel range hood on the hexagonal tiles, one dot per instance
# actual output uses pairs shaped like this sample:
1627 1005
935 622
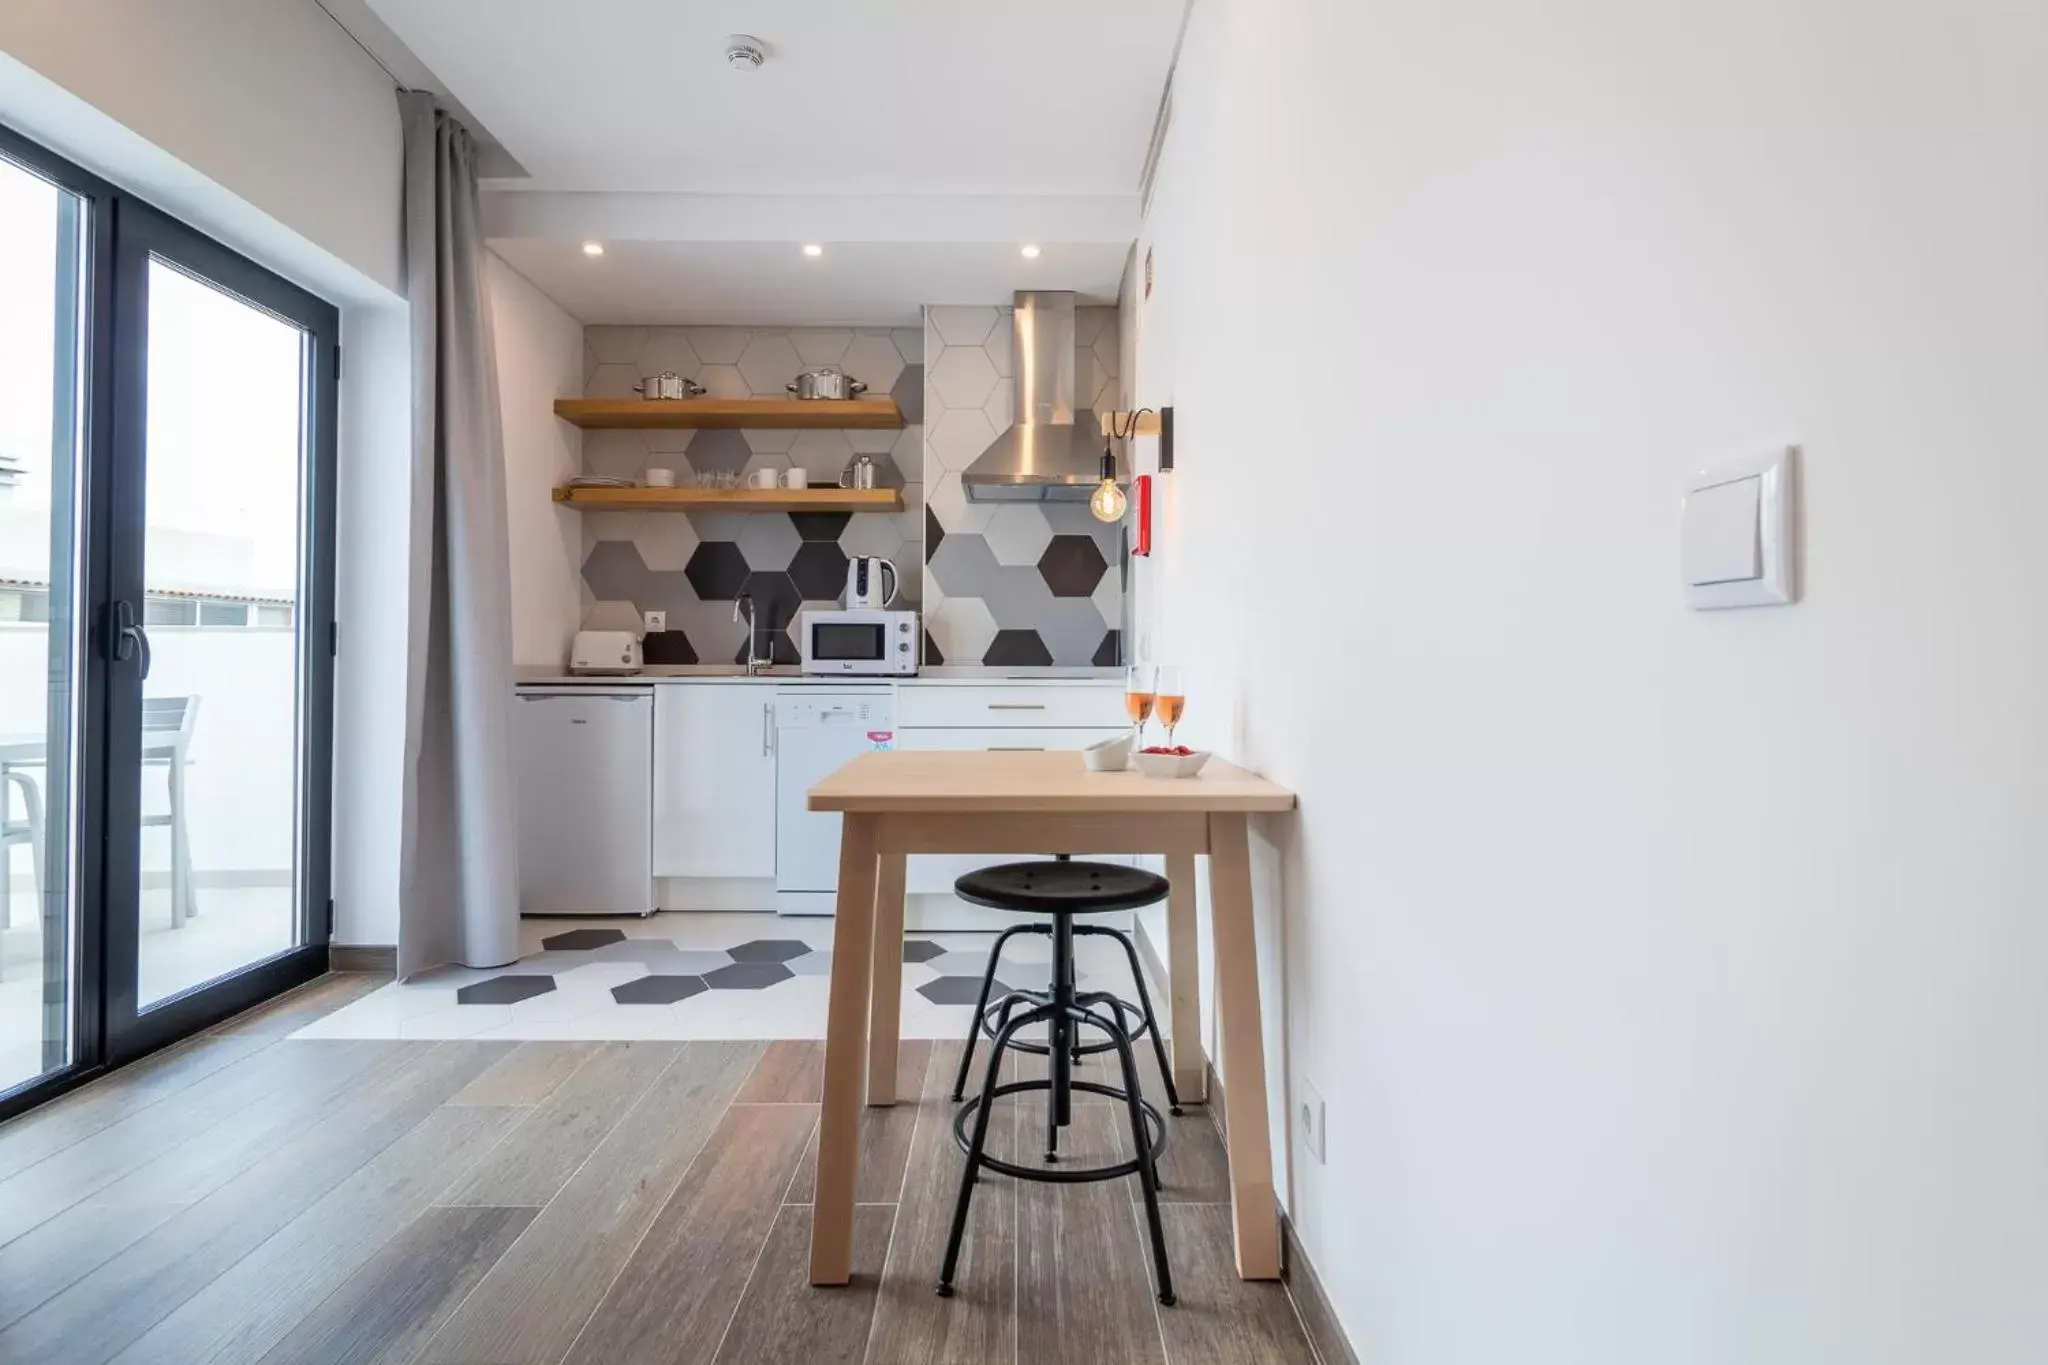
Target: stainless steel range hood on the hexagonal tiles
1054 453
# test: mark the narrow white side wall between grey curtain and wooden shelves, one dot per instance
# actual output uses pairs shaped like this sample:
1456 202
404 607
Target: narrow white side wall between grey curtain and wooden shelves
540 361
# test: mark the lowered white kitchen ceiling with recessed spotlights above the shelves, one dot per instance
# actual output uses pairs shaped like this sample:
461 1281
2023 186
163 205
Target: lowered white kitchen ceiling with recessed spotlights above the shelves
773 283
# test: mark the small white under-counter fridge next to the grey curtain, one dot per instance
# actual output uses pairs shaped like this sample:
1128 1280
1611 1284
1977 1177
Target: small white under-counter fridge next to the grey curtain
585 789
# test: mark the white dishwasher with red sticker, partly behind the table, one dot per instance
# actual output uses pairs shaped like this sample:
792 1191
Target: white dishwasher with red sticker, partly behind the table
818 732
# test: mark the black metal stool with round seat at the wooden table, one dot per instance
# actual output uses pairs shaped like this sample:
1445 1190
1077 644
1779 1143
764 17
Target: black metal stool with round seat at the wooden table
1062 889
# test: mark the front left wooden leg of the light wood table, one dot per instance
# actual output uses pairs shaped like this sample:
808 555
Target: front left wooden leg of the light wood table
847 1053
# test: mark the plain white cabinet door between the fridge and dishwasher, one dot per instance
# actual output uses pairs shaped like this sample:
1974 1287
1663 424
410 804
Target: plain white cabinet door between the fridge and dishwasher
714 781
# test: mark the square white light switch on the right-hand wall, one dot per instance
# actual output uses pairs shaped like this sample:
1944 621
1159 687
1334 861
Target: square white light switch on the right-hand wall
1738 533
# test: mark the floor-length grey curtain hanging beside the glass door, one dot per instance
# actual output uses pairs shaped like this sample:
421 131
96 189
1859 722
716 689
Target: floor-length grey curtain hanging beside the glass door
458 861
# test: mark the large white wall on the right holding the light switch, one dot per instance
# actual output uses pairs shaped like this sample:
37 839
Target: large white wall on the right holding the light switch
1674 979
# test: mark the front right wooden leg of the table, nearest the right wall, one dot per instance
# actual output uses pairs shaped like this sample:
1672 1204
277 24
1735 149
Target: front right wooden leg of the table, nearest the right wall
1254 1213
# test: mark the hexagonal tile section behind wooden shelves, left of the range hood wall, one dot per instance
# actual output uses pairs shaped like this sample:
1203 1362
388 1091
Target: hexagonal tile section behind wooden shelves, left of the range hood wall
693 566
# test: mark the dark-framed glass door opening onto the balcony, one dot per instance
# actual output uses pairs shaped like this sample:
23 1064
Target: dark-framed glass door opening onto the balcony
167 562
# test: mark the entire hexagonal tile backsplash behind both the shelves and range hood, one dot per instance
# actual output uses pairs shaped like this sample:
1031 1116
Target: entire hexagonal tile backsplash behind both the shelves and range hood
1013 586
